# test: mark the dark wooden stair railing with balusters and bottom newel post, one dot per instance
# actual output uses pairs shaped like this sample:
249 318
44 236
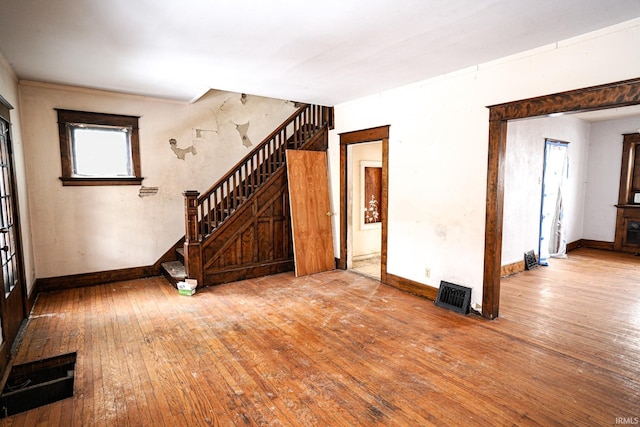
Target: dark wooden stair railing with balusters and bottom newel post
204 213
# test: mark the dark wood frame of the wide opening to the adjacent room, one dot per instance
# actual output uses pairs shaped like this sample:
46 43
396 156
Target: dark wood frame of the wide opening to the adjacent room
619 94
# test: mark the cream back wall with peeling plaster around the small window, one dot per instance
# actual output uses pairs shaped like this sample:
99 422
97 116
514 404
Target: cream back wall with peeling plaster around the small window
89 229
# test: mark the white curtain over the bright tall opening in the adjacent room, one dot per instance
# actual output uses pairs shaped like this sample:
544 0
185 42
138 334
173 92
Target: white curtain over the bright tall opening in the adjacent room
553 241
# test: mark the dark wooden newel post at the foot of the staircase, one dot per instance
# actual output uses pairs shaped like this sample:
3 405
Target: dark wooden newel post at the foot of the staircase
192 253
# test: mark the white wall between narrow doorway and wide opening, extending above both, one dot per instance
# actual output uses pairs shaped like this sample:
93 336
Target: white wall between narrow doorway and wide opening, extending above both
438 146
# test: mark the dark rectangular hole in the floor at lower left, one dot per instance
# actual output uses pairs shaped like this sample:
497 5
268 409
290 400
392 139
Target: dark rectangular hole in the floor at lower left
37 383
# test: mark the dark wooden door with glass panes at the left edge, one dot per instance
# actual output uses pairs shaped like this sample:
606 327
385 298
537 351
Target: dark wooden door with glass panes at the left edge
12 301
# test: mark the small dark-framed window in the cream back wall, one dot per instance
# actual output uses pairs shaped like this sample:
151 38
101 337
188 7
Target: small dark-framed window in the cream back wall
98 149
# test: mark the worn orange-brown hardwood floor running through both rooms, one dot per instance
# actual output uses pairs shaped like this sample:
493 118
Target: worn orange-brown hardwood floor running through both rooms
339 348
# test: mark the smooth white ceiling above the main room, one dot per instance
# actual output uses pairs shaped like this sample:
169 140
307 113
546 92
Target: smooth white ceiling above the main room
324 52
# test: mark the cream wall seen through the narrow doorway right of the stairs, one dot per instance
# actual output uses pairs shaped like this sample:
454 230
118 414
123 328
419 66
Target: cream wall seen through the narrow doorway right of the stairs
366 239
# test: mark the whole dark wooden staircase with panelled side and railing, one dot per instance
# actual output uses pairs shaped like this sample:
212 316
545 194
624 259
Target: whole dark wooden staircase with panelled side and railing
240 228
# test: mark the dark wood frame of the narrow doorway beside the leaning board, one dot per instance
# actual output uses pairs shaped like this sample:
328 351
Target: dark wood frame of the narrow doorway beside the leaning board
358 137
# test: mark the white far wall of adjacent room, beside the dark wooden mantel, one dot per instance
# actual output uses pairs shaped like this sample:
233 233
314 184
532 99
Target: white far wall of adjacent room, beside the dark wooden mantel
603 176
